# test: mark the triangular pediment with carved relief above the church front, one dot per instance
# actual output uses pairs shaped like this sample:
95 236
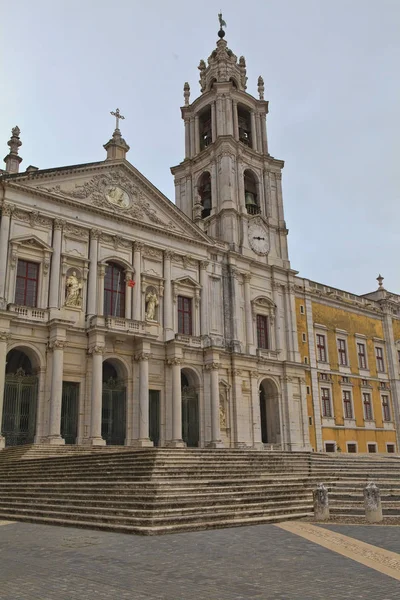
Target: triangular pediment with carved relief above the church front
114 188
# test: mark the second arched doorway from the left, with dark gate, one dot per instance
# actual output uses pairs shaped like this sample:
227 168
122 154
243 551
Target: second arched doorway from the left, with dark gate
113 420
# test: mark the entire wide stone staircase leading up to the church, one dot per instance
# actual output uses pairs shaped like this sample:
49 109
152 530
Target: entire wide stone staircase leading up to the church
160 490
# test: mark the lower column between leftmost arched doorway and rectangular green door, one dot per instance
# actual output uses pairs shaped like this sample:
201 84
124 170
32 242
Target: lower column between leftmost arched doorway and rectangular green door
54 437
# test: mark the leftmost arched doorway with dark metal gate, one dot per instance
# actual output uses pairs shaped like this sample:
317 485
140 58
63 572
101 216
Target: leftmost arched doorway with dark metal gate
20 400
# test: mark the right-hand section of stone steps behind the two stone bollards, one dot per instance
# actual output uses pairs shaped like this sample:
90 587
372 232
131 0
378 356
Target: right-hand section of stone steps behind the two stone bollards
349 475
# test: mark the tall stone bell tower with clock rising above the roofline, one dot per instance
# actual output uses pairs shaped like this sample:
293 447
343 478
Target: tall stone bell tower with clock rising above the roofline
228 183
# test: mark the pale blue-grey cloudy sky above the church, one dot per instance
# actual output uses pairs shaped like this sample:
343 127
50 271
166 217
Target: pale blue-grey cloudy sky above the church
332 78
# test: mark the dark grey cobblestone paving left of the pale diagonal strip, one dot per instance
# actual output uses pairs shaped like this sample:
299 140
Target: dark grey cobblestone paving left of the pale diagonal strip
39 562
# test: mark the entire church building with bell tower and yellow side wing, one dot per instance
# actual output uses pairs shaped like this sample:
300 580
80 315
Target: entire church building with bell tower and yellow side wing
127 319
